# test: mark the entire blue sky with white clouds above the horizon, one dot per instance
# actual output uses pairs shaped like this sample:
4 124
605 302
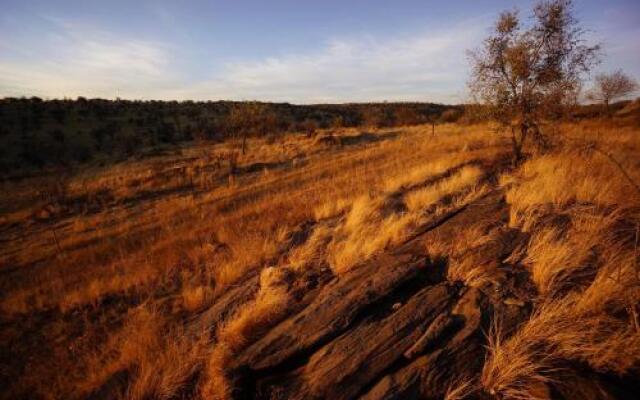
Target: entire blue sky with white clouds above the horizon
303 51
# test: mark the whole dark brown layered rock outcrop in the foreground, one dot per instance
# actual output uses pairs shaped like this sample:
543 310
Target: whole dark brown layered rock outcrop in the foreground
391 328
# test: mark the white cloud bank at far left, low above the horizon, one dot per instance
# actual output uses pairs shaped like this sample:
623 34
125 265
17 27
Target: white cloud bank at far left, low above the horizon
73 60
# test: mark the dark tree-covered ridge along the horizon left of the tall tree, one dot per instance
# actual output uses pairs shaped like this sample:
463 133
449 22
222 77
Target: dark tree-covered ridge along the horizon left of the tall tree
35 133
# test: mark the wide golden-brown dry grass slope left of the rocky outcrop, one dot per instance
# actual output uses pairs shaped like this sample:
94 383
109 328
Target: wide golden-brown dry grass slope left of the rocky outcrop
172 231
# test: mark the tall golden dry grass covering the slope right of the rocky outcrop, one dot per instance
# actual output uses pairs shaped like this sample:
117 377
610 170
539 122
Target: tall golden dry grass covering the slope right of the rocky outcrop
582 214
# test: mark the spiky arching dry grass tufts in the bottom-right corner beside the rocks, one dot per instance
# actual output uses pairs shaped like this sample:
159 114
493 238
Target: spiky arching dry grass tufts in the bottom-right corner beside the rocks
521 366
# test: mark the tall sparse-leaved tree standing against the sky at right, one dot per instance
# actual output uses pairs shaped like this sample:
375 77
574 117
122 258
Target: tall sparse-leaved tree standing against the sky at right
526 74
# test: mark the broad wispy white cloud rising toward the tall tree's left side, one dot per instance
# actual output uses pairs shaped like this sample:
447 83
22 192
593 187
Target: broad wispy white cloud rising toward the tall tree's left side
427 66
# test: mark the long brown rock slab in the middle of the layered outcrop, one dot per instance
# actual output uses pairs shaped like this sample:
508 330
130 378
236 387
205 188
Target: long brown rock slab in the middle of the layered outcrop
342 368
